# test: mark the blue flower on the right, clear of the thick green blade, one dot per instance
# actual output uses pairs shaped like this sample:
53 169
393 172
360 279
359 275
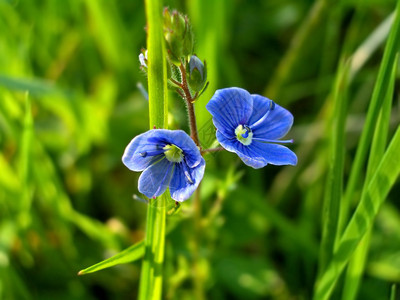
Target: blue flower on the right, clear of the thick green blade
251 126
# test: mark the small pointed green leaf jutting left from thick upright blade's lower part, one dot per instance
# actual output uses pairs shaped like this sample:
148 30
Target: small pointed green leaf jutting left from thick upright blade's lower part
128 255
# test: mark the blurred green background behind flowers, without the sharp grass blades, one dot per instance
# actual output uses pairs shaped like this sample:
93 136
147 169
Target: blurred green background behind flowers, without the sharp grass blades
69 104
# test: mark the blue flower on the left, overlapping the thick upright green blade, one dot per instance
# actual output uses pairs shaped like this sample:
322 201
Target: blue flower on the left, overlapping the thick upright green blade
168 158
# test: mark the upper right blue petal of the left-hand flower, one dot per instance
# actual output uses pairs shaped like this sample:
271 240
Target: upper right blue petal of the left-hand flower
181 139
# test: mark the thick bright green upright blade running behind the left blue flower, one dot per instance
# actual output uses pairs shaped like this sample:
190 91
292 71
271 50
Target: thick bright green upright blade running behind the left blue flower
151 274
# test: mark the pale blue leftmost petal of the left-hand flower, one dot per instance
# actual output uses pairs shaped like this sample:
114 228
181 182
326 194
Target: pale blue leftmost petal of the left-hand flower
145 142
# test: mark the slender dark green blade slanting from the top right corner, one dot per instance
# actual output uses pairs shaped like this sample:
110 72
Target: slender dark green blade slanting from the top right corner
378 96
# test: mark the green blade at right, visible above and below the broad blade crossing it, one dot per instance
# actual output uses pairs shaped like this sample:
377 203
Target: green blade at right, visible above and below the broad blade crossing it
357 263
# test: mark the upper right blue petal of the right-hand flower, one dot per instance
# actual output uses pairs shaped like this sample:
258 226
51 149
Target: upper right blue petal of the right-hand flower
276 125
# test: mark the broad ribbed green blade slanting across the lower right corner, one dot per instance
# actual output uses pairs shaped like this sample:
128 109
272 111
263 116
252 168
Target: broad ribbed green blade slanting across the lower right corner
371 200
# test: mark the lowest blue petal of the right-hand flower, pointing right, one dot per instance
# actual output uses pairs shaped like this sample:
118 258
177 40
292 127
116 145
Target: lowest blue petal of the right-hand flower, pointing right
259 154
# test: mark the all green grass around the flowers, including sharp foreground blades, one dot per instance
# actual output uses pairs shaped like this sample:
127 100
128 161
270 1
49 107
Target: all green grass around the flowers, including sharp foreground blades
325 229
